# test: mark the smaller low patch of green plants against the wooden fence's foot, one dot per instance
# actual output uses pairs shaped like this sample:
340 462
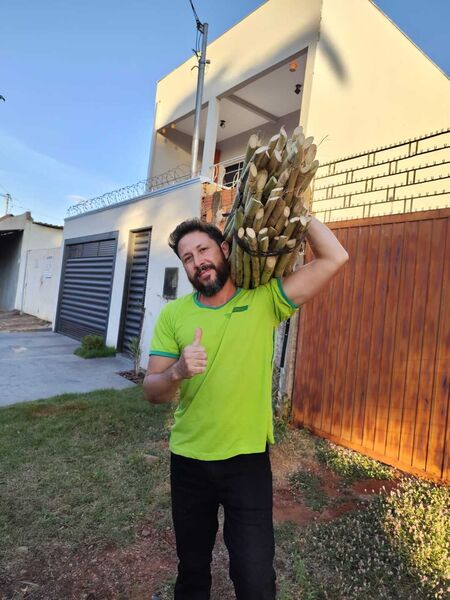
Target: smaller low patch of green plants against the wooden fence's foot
350 465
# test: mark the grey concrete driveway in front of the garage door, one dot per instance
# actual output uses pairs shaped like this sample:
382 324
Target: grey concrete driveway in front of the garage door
41 364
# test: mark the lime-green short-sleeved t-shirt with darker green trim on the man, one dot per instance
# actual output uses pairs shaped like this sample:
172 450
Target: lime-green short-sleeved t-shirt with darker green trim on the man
227 410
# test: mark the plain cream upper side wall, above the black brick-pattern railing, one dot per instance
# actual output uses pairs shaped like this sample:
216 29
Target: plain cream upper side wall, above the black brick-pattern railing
371 85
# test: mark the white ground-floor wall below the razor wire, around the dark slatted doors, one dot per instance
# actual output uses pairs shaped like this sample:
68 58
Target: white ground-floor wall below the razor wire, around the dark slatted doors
162 211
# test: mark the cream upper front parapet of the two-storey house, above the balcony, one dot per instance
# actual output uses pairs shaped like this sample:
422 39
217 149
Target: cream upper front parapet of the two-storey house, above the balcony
266 37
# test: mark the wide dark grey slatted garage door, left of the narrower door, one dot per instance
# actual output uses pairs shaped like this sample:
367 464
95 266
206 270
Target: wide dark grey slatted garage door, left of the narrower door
86 284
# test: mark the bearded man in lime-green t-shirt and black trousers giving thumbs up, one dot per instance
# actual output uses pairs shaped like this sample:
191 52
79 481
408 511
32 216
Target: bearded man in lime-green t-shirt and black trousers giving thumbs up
216 347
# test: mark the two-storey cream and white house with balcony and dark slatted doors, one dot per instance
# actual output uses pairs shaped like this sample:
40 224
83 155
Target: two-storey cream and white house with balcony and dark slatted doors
340 68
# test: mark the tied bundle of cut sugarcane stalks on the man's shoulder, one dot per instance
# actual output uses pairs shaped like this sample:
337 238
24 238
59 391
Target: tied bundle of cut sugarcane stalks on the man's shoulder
269 218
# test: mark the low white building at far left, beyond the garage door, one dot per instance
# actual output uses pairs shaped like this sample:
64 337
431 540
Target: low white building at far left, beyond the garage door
30 254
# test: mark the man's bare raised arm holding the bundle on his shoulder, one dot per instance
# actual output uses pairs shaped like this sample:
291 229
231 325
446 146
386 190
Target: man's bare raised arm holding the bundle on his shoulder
329 257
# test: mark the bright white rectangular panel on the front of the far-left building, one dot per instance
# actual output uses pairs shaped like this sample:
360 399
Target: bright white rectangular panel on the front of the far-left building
40 290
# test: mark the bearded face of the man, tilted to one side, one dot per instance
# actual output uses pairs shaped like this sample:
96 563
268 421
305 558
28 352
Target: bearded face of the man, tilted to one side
204 262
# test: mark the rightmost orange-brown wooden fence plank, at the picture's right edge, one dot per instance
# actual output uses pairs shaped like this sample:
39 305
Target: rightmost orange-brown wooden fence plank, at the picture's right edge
440 252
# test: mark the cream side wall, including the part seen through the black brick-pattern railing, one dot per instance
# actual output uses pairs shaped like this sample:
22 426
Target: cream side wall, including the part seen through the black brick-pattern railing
378 89
